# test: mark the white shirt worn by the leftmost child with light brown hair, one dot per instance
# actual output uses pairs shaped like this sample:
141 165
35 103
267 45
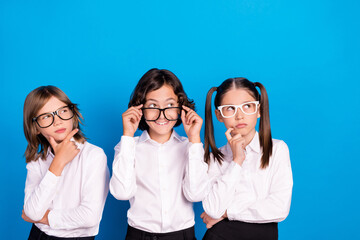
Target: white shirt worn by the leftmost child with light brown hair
76 198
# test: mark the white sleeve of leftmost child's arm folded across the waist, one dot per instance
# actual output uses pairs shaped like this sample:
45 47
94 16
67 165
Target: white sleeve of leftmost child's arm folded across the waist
94 190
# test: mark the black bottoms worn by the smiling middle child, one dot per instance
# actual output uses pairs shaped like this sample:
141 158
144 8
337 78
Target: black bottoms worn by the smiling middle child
137 234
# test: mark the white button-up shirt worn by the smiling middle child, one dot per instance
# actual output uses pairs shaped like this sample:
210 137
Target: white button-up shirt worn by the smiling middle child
160 180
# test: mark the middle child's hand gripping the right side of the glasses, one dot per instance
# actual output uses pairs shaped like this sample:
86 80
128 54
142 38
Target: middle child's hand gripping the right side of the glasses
192 124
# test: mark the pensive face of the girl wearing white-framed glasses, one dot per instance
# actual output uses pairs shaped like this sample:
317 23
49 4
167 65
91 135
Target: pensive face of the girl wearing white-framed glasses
241 123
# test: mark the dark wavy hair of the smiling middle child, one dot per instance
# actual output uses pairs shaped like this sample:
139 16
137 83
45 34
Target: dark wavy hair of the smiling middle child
153 80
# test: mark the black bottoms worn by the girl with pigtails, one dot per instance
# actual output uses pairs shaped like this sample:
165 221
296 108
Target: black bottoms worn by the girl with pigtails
231 230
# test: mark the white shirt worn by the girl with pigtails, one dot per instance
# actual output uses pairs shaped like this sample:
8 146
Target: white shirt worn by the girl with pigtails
249 193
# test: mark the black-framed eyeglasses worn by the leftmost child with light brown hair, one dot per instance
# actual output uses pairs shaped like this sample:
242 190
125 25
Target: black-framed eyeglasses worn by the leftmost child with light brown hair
47 119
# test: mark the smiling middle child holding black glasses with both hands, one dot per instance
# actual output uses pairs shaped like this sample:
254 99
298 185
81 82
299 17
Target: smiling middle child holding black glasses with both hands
160 172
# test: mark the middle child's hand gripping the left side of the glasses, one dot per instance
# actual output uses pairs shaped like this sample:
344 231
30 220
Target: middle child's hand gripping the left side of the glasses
131 120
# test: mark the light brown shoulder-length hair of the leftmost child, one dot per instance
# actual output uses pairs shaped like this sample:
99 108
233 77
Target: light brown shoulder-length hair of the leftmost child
37 144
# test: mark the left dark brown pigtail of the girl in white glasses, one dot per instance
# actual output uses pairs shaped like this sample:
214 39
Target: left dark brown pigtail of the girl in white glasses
209 131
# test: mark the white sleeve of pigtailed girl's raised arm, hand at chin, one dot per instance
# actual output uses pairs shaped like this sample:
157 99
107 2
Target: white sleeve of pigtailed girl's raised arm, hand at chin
222 187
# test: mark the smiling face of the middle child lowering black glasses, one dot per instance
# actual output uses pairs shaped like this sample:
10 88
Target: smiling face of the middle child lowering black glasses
161 129
